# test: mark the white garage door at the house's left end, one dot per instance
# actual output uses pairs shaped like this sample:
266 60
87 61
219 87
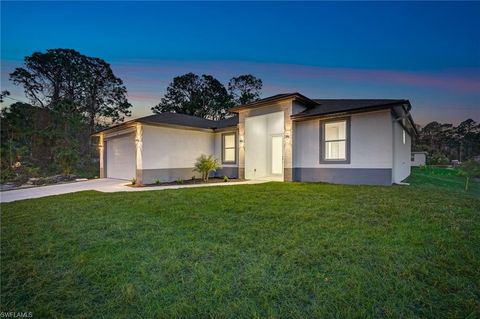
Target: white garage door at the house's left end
121 157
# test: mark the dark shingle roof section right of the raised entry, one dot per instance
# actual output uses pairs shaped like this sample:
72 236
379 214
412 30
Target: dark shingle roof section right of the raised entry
331 106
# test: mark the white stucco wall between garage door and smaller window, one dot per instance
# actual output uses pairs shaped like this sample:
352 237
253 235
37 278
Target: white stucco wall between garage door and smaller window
165 147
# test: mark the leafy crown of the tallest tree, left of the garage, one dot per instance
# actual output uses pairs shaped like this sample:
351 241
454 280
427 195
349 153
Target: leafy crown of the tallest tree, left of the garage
59 75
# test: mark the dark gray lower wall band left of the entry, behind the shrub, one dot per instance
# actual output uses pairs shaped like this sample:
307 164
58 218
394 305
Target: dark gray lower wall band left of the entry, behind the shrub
149 176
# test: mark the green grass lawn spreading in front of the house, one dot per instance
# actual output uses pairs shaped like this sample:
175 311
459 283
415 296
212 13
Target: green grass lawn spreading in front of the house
283 250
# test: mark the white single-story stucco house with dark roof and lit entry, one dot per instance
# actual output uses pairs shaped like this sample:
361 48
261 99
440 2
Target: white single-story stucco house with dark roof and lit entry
285 137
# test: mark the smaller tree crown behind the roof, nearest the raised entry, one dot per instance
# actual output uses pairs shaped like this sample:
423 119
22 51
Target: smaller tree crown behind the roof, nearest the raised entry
245 88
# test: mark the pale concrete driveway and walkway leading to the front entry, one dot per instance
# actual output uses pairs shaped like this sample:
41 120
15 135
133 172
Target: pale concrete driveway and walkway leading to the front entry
106 185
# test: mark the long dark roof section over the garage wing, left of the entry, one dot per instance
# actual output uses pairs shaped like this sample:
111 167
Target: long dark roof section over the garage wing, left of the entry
178 119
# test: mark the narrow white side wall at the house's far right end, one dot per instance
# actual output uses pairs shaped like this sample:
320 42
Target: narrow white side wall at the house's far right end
401 153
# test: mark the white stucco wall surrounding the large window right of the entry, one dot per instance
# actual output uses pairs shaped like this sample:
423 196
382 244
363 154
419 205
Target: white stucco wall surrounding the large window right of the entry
370 144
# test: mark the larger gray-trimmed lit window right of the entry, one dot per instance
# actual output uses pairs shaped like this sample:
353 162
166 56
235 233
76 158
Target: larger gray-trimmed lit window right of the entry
334 141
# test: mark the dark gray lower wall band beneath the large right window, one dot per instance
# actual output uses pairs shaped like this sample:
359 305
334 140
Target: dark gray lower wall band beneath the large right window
360 176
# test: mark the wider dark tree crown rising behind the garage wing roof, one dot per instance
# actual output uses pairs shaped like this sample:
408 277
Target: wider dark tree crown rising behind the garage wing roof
199 96
